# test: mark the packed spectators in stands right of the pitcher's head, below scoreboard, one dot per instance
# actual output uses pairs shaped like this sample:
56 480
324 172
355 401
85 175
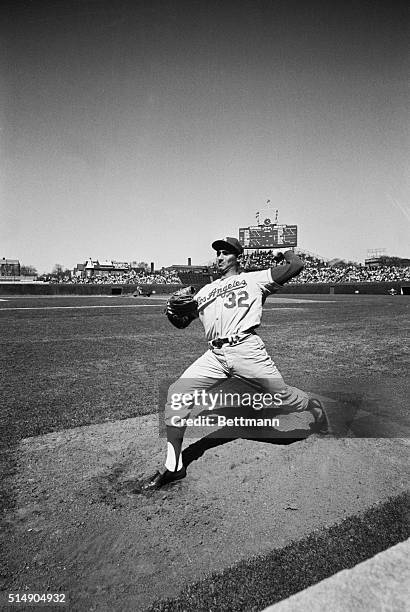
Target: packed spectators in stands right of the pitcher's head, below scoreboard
317 270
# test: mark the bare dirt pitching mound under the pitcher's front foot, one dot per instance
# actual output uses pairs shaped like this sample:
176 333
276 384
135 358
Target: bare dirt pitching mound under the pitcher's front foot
82 528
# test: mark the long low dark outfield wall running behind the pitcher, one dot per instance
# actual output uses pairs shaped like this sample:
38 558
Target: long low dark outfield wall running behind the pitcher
10 289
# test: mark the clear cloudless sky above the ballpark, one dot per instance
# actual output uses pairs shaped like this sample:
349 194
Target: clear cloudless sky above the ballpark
144 130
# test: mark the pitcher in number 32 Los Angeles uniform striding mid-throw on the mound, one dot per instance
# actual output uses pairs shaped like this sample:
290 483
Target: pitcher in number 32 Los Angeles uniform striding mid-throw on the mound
230 310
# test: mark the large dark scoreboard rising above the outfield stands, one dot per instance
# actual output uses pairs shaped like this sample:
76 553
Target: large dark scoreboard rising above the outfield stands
268 236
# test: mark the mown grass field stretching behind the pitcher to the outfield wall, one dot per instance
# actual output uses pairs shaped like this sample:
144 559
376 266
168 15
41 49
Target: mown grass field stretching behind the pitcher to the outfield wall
71 362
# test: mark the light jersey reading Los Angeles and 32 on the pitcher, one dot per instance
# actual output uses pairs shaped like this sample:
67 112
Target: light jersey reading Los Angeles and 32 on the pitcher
232 305
